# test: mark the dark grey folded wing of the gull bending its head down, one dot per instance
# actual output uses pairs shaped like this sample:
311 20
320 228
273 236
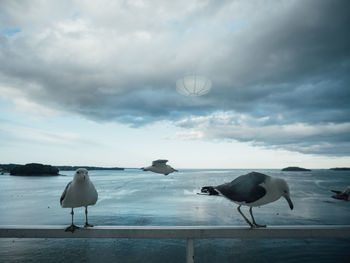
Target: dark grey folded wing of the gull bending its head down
244 188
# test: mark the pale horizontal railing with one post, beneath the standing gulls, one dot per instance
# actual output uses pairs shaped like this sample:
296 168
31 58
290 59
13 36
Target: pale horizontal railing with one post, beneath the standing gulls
184 232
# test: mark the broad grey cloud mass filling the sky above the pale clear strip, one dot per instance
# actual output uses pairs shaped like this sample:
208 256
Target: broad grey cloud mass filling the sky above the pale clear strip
288 61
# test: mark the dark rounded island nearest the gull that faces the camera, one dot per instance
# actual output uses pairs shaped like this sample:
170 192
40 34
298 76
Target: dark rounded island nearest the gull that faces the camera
34 169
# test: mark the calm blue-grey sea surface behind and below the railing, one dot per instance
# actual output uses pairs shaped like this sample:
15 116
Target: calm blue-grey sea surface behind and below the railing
134 197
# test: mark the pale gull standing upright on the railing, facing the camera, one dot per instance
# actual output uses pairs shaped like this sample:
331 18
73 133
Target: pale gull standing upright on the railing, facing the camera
79 192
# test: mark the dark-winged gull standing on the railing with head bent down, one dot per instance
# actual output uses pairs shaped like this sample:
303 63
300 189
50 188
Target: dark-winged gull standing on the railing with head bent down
252 189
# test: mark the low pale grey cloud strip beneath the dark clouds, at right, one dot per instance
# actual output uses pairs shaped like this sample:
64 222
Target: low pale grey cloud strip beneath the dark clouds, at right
326 139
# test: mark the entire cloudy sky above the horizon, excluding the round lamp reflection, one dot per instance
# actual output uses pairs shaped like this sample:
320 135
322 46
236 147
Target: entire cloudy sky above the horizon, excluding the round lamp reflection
94 83
